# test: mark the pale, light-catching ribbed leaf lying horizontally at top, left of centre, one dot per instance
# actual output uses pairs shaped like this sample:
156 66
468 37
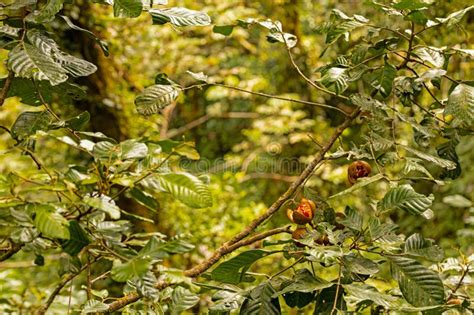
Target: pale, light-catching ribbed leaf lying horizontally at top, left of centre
180 17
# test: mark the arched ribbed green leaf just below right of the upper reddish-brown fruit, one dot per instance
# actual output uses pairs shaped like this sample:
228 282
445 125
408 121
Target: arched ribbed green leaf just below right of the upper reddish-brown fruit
404 197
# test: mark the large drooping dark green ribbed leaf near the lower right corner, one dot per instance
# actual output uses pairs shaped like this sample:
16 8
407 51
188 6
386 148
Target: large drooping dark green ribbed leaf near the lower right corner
419 285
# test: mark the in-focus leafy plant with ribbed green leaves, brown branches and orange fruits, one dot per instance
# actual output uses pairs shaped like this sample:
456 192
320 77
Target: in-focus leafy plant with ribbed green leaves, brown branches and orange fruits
350 260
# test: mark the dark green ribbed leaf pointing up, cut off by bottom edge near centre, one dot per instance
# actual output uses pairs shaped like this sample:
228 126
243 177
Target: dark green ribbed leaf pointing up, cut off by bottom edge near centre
260 301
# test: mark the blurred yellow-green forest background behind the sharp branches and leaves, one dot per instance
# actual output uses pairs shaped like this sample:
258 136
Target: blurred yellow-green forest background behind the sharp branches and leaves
250 146
